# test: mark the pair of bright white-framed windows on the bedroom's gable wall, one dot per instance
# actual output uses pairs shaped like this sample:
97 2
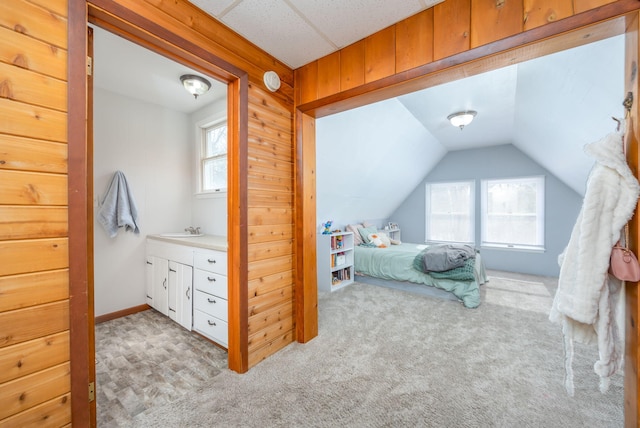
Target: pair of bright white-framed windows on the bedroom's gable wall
511 214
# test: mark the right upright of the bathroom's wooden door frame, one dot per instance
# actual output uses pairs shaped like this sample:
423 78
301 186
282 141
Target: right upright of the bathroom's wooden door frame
238 267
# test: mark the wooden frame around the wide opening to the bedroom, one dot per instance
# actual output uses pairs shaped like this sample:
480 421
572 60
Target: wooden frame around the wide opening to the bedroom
606 21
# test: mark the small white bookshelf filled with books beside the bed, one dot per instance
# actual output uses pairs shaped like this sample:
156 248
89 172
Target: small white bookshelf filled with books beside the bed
335 260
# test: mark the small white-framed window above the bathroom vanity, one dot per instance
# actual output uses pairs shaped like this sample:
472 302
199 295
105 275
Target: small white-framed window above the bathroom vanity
213 158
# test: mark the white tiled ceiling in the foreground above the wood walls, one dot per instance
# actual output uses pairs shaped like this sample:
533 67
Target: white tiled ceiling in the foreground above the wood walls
300 31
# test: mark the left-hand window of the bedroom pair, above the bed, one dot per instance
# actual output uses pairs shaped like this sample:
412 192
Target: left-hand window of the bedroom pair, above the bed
450 212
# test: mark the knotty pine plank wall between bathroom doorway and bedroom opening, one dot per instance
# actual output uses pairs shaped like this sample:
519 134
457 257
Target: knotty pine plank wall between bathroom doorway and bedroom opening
271 255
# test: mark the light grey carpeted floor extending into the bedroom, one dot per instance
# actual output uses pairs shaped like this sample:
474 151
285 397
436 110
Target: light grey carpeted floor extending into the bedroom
386 357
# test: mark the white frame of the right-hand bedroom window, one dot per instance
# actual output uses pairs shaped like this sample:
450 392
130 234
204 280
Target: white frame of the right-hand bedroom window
539 246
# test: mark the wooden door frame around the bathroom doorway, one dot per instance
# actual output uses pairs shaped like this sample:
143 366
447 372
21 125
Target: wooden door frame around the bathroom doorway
137 29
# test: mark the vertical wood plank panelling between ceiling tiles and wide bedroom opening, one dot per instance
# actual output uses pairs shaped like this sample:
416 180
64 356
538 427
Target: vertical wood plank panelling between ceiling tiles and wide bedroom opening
449 28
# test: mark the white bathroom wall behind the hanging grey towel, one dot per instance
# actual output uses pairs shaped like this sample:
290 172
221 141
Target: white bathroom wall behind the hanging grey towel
150 145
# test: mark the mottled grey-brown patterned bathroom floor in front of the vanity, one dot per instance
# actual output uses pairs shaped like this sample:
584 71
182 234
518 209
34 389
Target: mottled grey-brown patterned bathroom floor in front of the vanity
145 360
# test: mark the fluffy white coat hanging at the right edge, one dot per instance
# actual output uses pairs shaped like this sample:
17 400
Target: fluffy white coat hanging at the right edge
586 302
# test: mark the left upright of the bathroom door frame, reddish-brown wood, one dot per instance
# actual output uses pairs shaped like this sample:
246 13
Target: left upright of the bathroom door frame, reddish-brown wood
79 262
